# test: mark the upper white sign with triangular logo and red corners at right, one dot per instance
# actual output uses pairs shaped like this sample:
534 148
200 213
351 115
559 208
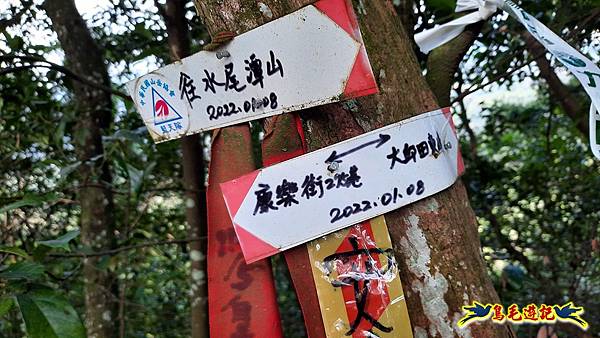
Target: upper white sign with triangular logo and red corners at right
310 57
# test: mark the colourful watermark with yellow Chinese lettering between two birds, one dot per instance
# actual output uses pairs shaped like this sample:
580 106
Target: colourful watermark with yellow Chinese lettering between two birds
532 313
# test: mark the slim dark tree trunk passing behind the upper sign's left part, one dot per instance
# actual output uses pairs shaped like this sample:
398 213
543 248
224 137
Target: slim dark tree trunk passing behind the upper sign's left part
193 179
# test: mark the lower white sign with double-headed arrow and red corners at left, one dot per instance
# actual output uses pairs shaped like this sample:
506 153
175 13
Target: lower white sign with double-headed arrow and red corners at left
293 202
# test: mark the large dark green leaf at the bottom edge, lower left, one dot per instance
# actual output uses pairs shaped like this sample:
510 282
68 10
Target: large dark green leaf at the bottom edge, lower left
49 315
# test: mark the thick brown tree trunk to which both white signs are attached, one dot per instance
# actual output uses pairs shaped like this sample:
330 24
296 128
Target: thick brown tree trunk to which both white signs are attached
435 240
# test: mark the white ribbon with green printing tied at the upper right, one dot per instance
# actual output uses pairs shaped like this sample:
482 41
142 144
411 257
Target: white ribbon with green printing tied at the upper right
586 71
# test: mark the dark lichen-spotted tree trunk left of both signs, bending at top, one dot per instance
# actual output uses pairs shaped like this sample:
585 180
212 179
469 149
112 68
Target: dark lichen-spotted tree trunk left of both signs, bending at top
94 108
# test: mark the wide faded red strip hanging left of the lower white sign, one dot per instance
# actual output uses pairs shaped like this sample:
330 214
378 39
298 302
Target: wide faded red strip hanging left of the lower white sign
241 297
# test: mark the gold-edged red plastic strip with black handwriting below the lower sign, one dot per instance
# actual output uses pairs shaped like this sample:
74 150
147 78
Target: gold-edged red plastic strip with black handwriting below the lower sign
359 289
